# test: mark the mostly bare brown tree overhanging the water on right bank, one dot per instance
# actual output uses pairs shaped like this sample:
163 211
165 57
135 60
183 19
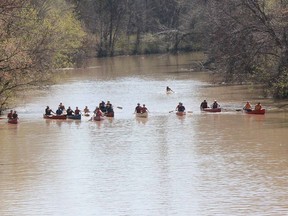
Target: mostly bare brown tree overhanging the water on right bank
249 42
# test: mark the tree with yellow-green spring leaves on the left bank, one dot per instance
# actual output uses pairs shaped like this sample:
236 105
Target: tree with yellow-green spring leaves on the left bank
32 44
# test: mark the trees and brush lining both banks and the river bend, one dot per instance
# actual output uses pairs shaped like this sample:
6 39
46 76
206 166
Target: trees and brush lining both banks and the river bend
37 37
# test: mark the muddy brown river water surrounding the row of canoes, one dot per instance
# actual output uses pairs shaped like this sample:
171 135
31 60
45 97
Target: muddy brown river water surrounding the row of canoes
227 163
